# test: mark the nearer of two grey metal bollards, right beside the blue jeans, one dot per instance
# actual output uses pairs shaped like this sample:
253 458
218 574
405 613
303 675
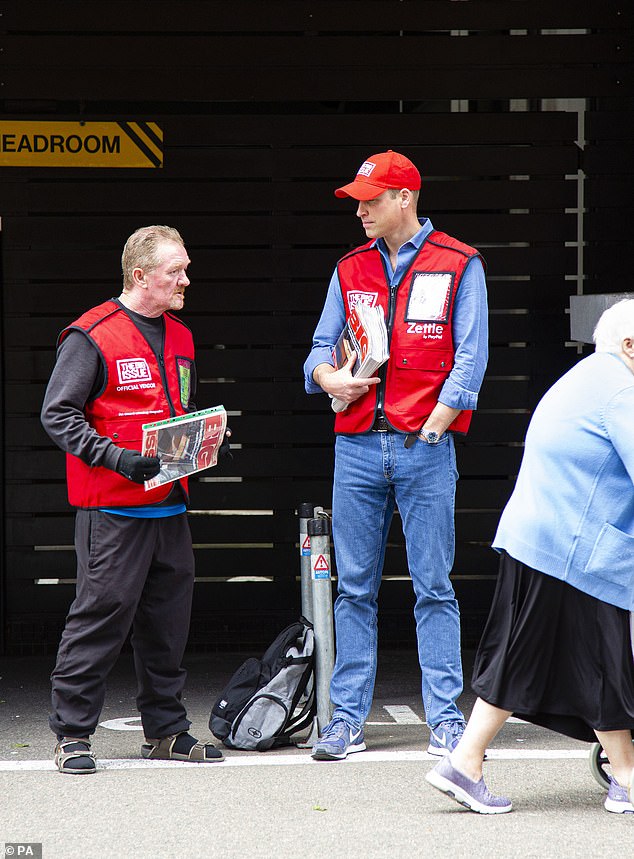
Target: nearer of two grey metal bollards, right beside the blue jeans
319 533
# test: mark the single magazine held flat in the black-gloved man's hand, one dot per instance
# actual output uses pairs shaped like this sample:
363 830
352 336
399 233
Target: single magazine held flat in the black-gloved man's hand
185 444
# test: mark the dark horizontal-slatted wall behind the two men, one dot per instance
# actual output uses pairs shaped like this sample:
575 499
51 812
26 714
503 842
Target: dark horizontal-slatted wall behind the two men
265 108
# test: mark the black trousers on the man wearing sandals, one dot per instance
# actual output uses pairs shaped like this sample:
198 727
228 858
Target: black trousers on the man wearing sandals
132 574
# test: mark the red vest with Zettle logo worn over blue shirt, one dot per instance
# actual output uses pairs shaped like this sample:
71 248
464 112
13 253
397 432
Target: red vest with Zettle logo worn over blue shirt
418 317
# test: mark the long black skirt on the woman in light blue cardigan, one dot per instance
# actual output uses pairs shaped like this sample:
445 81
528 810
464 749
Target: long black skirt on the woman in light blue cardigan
555 656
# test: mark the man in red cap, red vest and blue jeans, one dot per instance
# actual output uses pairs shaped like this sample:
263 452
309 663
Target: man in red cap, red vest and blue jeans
394 440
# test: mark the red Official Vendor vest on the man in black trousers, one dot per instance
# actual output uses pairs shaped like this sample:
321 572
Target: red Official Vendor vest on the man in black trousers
137 391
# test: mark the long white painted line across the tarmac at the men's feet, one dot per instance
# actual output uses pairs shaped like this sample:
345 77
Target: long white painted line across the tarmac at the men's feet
250 759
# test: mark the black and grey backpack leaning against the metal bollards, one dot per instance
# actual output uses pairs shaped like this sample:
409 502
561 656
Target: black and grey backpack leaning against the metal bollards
269 699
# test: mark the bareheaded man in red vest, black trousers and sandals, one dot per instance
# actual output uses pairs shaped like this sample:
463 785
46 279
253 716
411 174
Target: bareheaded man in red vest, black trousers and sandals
124 363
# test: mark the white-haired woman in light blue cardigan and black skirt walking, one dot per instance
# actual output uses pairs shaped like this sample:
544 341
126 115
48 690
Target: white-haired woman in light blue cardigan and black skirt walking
557 647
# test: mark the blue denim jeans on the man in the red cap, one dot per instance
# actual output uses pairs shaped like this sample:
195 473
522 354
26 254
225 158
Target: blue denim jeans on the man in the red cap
374 473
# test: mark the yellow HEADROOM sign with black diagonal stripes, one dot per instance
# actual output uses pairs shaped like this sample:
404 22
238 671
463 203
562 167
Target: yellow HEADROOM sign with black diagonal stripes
80 144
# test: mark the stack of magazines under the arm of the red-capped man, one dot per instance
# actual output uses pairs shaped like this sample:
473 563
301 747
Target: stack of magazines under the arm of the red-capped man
364 333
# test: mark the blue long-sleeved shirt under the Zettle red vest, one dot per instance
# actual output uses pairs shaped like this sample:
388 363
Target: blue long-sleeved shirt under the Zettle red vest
469 326
